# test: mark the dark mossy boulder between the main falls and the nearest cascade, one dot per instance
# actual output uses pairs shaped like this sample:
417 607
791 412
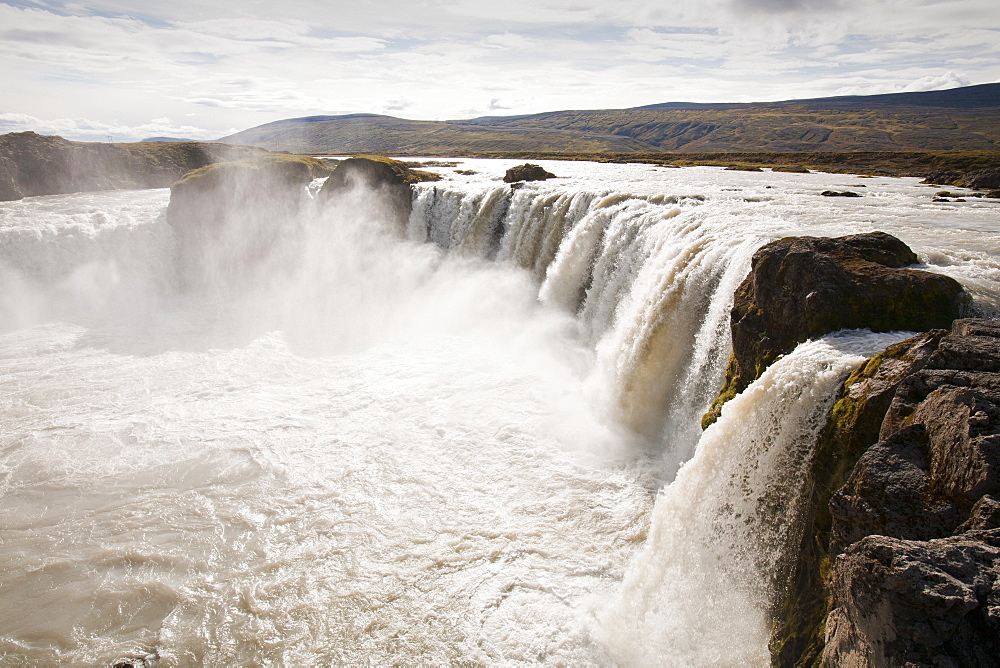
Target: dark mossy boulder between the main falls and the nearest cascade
804 287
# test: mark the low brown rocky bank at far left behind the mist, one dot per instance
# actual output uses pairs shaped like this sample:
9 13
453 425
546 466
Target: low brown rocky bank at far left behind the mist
33 164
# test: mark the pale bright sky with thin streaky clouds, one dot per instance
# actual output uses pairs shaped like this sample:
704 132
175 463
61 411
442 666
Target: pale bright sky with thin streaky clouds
203 69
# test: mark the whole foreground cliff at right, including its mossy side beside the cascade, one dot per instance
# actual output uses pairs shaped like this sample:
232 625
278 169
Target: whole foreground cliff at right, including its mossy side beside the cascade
900 566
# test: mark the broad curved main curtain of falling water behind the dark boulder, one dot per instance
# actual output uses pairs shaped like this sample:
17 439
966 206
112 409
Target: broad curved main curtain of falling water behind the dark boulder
650 279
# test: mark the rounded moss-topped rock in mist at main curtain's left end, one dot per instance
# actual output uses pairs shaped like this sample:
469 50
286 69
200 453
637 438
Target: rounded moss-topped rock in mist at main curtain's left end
356 178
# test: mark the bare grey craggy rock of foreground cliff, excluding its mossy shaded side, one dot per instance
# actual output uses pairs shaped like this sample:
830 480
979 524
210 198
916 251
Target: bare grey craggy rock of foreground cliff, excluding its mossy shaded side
916 524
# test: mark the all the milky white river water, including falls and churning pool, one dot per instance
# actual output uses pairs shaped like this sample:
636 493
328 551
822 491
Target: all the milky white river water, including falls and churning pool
463 447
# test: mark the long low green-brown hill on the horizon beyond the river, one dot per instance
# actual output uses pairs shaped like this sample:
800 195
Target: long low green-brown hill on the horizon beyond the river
965 118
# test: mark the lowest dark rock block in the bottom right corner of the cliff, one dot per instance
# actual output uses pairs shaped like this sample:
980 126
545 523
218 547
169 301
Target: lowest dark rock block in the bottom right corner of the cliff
916 603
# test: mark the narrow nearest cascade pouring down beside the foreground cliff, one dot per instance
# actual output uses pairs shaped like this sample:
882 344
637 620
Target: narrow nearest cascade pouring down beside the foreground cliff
701 588
